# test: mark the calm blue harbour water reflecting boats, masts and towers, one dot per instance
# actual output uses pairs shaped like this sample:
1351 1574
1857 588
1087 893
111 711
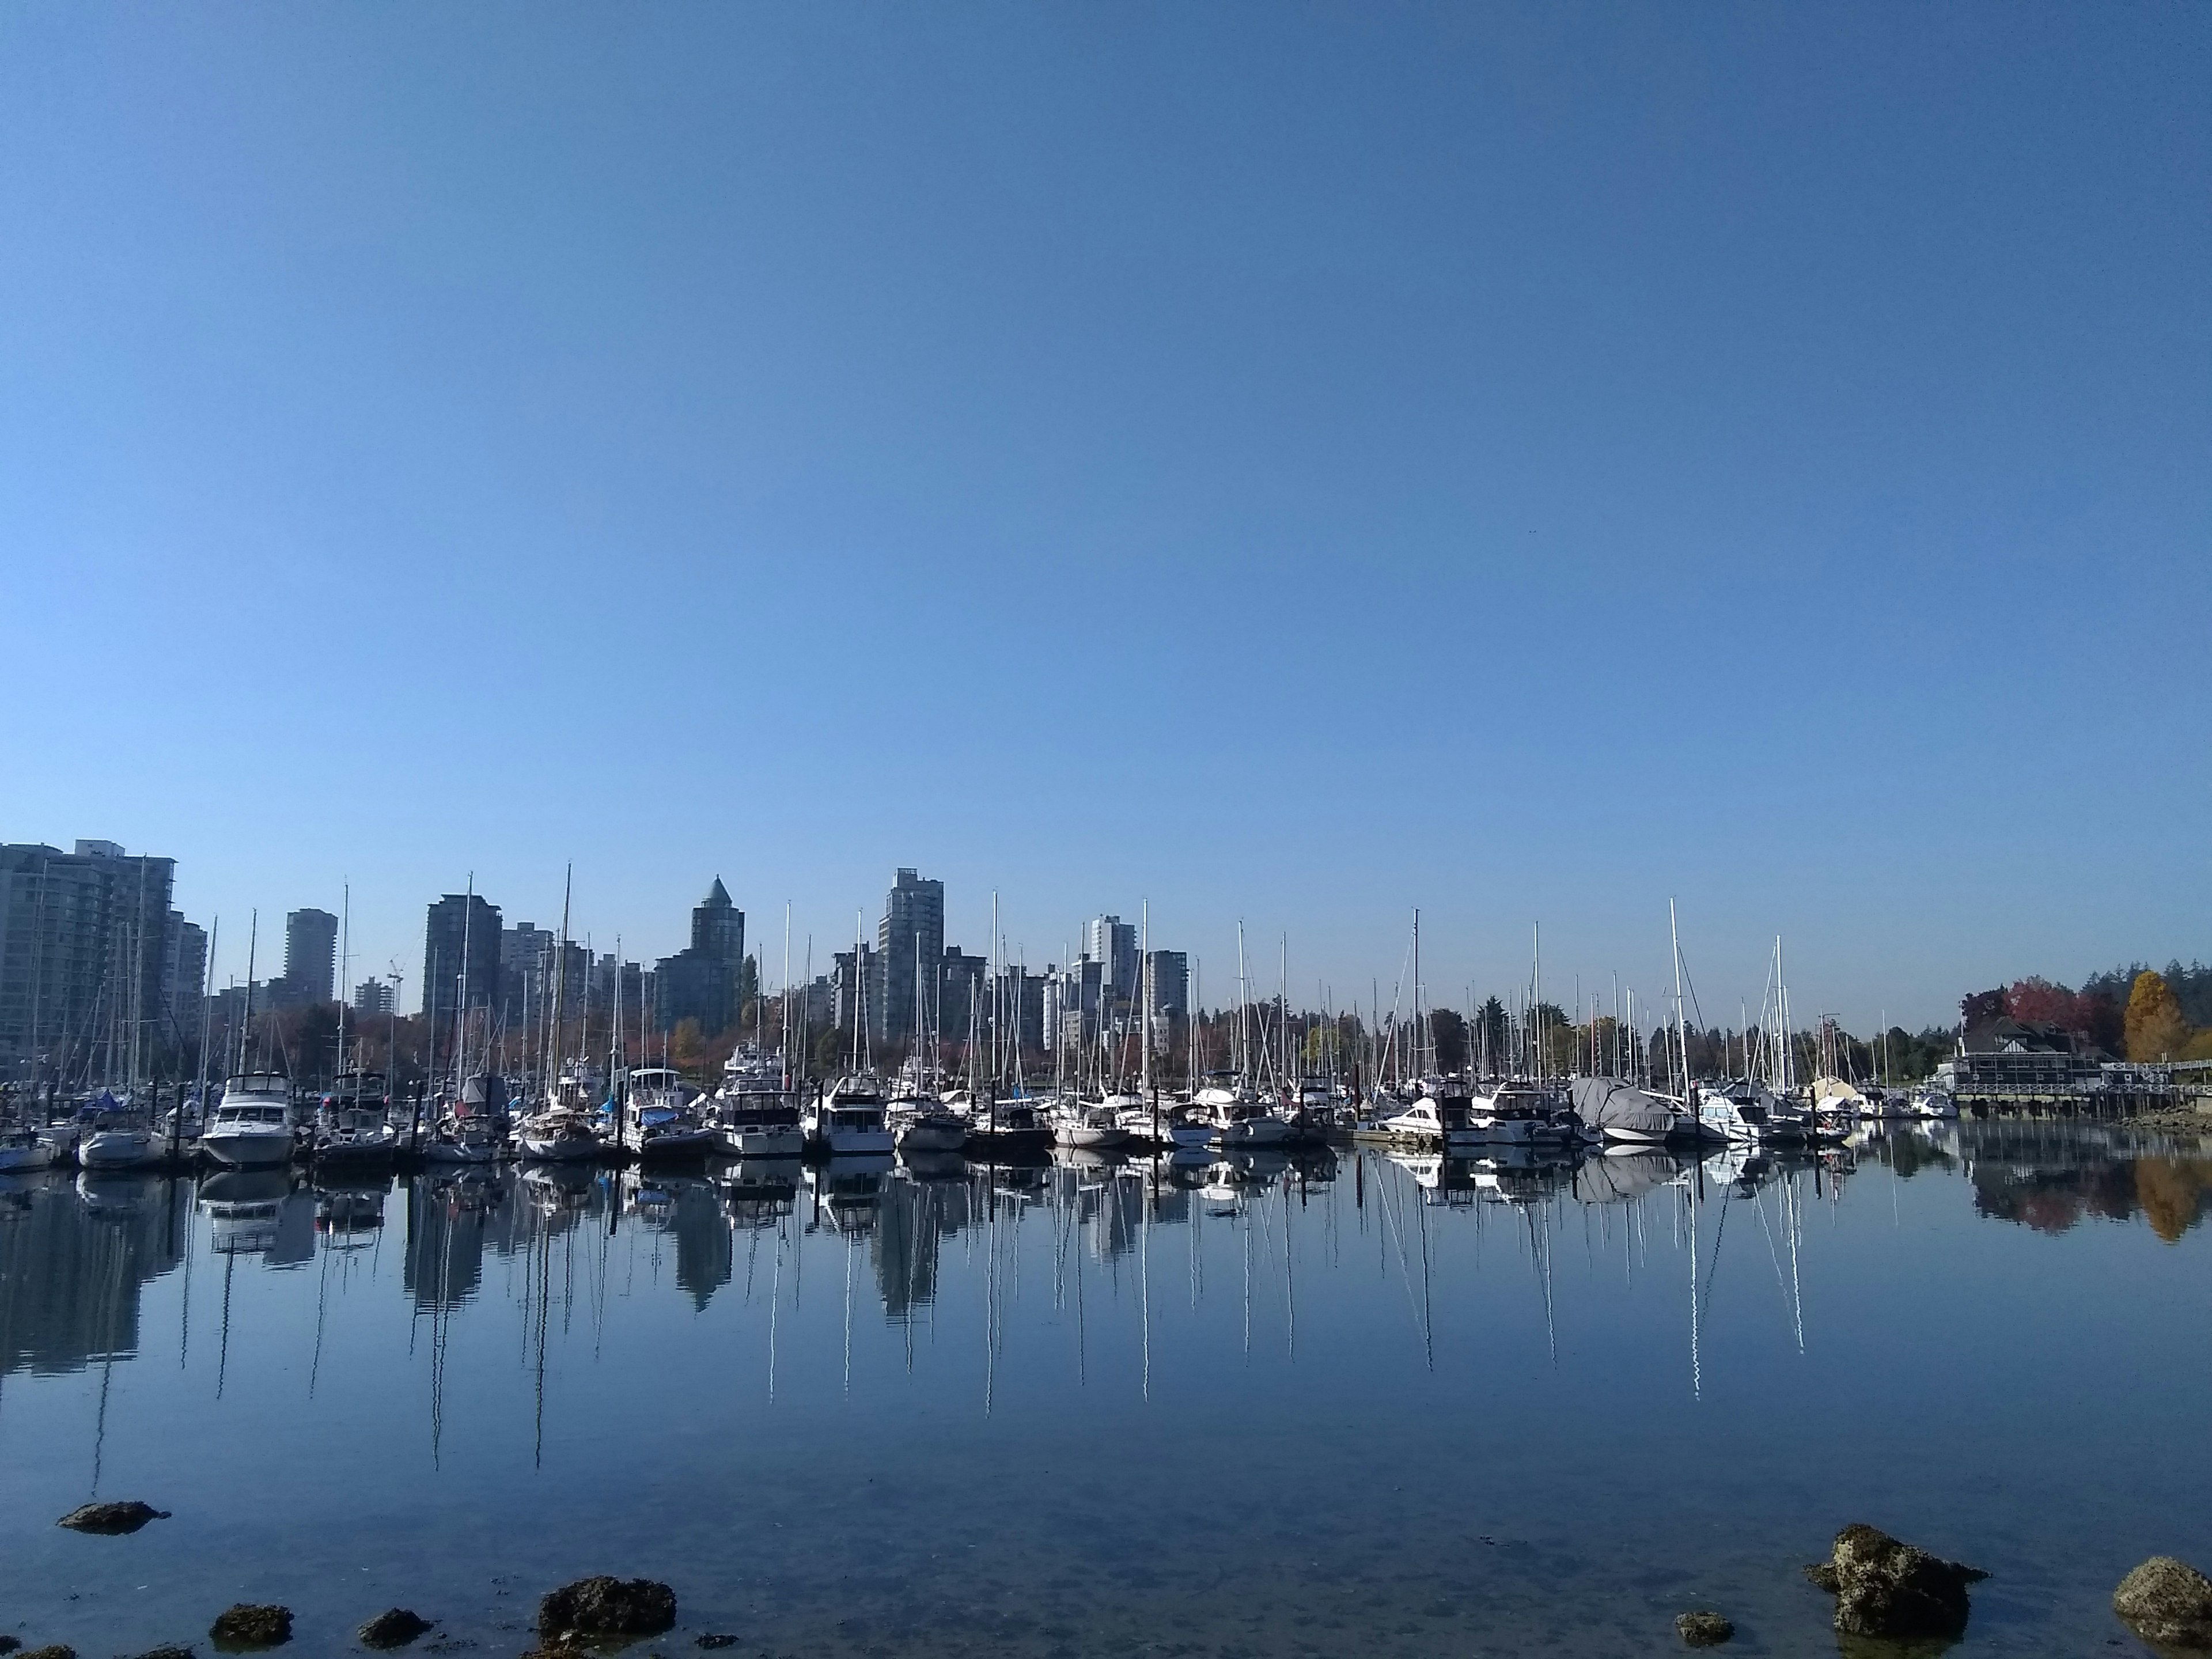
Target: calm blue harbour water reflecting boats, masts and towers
1357 1404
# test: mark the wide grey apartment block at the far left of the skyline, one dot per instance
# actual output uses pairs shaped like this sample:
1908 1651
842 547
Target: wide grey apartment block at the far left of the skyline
85 946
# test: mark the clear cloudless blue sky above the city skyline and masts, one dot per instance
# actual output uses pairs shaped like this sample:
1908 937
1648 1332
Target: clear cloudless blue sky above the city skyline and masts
1291 463
